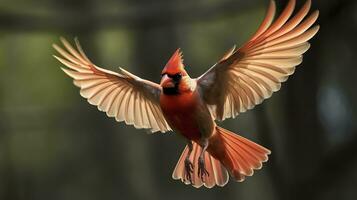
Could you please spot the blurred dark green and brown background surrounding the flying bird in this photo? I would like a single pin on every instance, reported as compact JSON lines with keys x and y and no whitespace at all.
{"x":54,"y":145}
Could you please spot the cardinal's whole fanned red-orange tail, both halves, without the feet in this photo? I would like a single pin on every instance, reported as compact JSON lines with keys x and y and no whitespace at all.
{"x":227,"y":153}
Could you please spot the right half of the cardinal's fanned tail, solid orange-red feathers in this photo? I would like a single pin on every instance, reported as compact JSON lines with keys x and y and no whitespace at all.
{"x":242,"y":155}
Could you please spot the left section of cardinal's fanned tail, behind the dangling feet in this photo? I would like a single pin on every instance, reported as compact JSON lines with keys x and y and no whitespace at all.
{"x":218,"y":175}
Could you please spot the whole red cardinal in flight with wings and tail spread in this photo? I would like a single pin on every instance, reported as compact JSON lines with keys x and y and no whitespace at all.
{"x":192,"y":107}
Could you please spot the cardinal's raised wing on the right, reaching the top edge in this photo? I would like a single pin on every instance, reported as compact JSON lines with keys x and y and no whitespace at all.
{"x":245,"y":77}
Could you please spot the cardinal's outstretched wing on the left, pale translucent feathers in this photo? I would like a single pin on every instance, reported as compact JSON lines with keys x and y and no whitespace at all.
{"x":121,"y":95}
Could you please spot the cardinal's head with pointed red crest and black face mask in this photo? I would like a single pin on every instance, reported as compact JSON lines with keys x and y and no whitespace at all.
{"x":173,"y":73}
